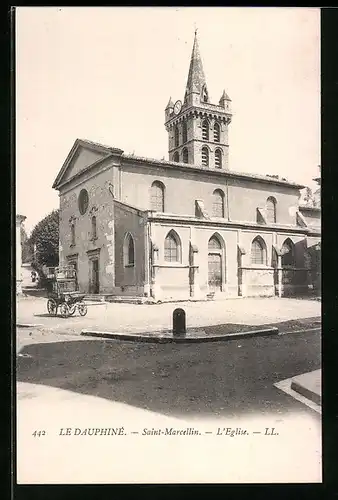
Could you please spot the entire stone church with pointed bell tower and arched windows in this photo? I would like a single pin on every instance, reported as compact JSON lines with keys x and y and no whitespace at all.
{"x":186,"y":228}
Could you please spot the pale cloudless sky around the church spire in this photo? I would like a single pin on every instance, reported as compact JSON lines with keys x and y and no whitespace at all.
{"x":106,"y":74}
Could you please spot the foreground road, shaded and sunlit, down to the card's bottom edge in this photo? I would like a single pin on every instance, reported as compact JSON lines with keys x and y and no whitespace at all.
{"x":82,"y":383}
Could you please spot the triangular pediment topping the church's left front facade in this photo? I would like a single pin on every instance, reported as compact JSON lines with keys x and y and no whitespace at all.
{"x":83,"y":155}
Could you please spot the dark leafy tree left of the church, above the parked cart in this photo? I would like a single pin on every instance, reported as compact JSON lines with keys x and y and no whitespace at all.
{"x":45,"y":239}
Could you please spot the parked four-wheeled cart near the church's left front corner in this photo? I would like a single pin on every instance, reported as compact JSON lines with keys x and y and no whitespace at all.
{"x":63,"y":294}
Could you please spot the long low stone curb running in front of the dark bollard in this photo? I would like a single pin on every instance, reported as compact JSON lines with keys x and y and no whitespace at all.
{"x":180,"y":340}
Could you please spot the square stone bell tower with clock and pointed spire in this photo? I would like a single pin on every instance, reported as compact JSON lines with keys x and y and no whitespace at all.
{"x":197,"y":129}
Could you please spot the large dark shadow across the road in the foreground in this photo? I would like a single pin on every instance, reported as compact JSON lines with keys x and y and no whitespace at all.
{"x":211,"y":379}
